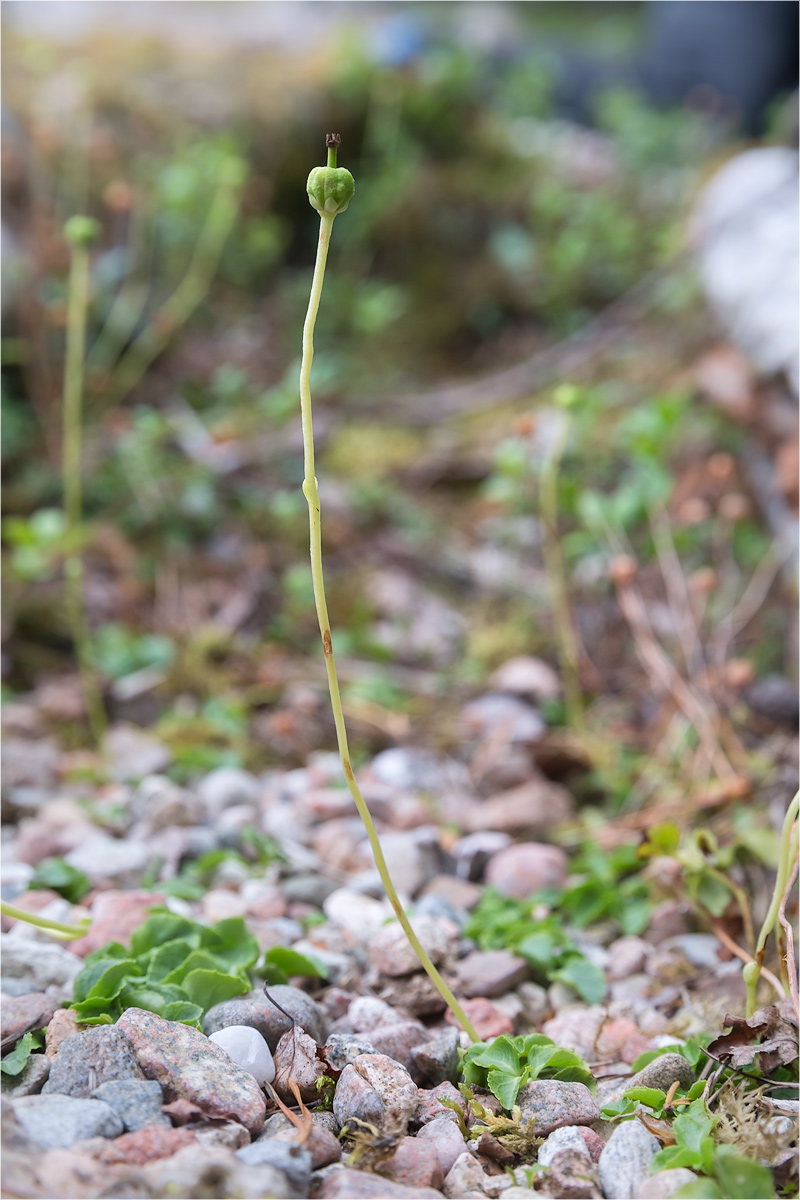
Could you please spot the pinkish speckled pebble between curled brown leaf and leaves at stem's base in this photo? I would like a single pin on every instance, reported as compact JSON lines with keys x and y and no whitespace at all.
{"x":377,"y":1090}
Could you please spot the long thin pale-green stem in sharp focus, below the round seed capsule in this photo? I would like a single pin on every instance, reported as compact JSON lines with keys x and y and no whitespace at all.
{"x":312,"y":496}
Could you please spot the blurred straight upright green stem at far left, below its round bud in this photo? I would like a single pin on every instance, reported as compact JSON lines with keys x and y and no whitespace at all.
{"x":74,"y":573}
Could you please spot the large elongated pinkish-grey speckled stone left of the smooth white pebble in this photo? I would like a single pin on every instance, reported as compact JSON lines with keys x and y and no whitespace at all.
{"x":189,"y":1066}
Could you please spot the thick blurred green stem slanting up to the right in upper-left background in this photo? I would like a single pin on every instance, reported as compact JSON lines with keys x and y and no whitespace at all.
{"x":185,"y":299}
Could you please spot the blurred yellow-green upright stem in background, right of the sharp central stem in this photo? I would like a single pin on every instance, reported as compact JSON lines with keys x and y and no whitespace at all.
{"x":568,"y":643}
